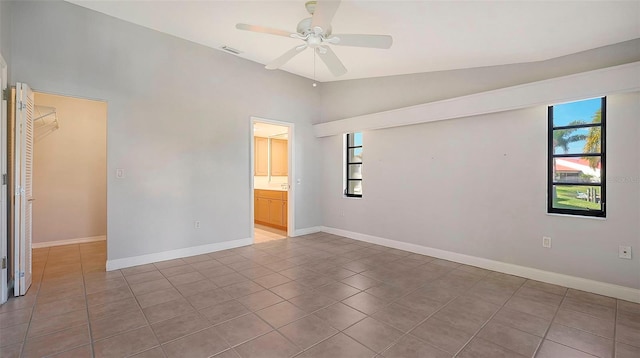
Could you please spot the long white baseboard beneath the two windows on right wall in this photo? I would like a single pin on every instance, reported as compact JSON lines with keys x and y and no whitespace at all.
{"x":601,"y":288}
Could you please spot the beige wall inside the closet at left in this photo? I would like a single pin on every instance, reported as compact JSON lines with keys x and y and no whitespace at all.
{"x":70,"y":183}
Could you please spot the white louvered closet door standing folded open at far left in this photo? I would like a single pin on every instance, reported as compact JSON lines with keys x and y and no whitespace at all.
{"x":23,"y":193}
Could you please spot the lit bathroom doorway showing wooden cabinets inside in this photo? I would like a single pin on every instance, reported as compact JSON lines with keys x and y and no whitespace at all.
{"x":272,"y":167}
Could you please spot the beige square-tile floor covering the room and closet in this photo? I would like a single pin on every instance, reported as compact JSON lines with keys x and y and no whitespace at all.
{"x":318,"y":295}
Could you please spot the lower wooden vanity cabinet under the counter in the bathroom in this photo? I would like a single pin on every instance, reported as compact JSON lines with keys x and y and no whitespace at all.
{"x":271,"y":208}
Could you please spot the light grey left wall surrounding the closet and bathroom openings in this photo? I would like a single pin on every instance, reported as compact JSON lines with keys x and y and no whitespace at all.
{"x":178,"y":121}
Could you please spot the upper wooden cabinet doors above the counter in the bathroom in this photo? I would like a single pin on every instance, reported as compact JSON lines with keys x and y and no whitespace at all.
{"x":278,"y":158}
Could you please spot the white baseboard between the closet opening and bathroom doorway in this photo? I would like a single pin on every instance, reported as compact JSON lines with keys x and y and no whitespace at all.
{"x":175,"y":254}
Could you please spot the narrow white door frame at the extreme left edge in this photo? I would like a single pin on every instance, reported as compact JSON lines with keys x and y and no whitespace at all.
{"x":4,"y":254}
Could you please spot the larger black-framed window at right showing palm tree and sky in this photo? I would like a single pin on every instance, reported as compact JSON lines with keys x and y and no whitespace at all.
{"x":577,"y":158}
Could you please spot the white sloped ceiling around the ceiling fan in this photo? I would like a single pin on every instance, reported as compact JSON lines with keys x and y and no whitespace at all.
{"x":428,"y":35}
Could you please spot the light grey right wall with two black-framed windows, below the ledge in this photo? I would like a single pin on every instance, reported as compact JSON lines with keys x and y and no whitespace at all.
{"x":477,"y":186}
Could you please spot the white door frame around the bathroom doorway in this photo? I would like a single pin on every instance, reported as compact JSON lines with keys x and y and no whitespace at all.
{"x":290,"y":173}
